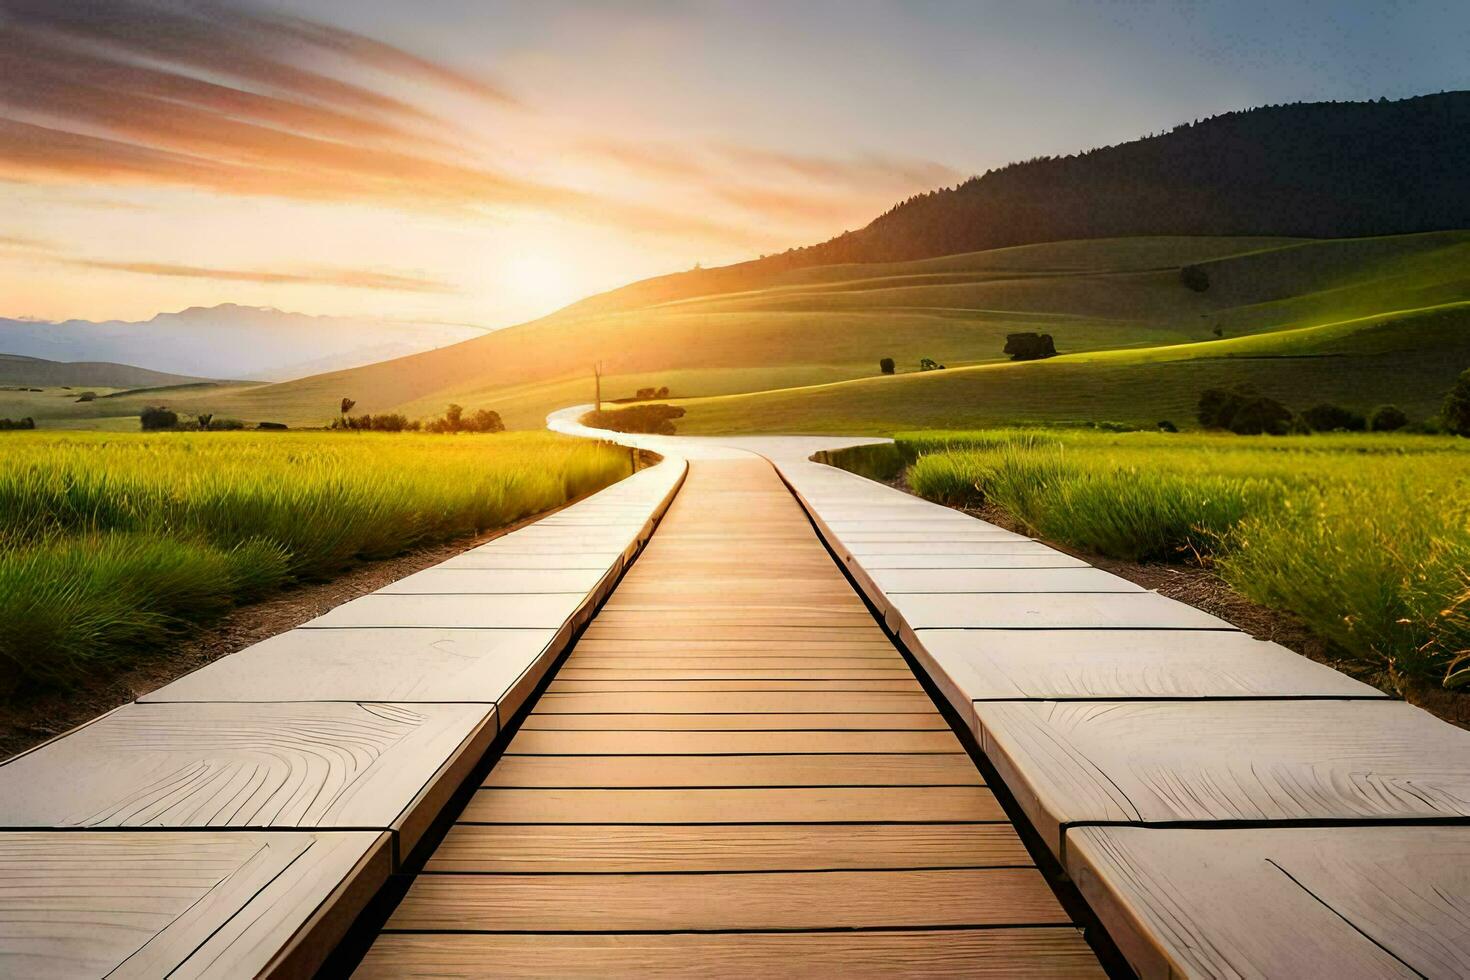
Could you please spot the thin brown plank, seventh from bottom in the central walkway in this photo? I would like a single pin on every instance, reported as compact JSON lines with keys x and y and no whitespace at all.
{"x":761,"y":722}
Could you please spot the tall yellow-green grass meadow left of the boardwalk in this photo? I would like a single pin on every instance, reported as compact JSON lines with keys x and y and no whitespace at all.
{"x":112,"y":543}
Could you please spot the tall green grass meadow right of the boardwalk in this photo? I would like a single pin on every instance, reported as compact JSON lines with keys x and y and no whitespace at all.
{"x":1363,"y":537}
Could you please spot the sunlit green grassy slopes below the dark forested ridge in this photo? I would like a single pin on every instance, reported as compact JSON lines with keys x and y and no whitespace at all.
{"x":1352,"y":321}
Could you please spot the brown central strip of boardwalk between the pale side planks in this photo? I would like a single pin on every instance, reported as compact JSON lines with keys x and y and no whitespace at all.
{"x":733,"y":774}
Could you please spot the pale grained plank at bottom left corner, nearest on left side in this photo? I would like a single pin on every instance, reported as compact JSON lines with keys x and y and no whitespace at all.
{"x":180,"y":904}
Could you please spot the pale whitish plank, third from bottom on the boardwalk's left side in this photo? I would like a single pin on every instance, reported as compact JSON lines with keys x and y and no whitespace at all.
{"x":370,"y":665}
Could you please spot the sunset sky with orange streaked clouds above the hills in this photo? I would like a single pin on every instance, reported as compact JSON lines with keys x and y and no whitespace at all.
{"x":486,"y":162}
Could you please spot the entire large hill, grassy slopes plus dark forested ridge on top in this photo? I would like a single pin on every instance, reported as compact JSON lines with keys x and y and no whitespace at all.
{"x":793,"y":342}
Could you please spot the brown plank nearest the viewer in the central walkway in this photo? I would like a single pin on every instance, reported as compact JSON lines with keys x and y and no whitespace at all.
{"x":980,"y":954}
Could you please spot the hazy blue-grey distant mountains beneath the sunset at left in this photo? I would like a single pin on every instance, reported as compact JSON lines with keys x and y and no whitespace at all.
{"x":230,"y":342}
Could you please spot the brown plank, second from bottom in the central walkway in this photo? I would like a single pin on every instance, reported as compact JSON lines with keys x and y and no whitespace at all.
{"x":633,"y":903}
